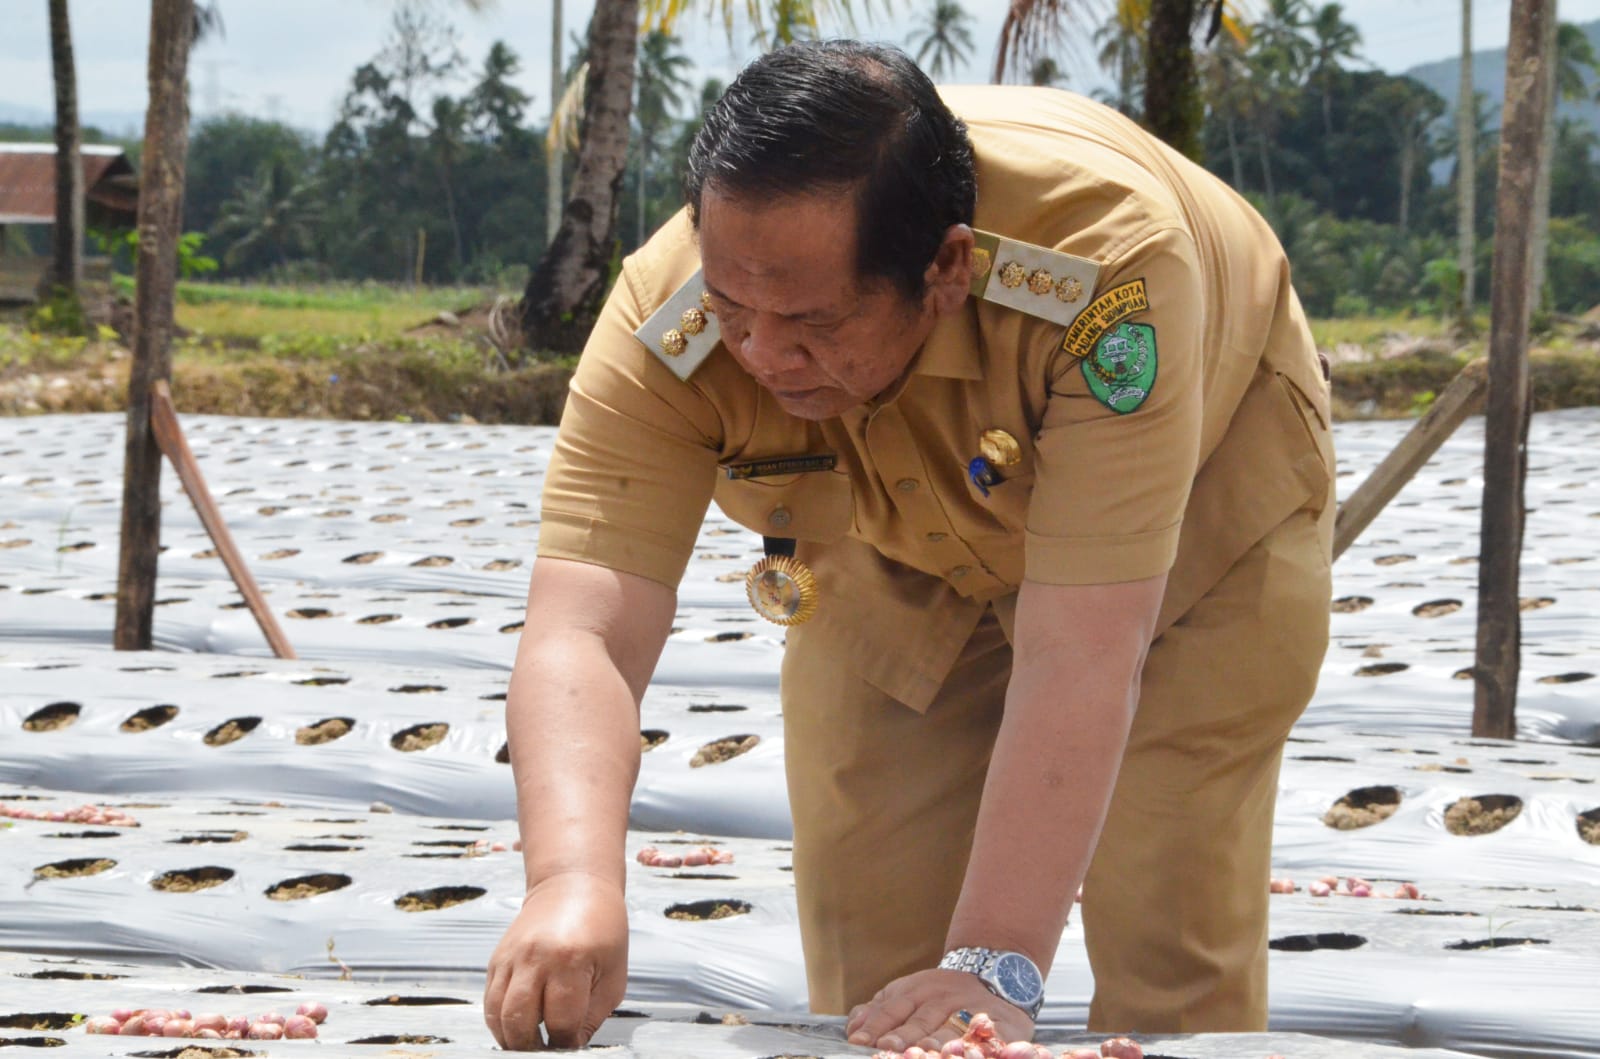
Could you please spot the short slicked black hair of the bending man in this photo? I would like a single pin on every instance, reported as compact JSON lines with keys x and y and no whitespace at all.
{"x":833,"y":114}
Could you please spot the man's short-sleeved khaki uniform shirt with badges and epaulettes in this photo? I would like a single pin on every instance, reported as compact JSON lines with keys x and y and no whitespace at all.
{"x":1231,"y":439}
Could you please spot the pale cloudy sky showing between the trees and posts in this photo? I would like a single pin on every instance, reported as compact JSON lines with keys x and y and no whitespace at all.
{"x":292,"y":60}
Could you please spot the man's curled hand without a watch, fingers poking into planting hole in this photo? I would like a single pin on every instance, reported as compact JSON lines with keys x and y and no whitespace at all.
{"x":564,"y":964}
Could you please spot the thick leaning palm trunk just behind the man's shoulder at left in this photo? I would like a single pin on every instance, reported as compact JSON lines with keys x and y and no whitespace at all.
{"x":567,"y":287}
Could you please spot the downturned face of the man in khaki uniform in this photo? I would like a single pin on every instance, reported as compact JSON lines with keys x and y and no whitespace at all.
{"x":783,"y":282}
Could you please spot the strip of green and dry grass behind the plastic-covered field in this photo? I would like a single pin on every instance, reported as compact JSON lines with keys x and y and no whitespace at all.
{"x":370,"y":351}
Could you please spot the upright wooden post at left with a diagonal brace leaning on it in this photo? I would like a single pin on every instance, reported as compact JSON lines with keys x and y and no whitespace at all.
{"x":161,"y":218}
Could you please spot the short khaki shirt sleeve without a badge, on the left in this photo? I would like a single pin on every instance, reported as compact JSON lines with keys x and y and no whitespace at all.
{"x":636,"y":454}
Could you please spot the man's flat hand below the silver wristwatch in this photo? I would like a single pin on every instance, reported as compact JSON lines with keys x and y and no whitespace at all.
{"x":918,"y":1009}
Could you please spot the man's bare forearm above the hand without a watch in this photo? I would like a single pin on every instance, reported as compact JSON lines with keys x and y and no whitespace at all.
{"x":574,"y":732}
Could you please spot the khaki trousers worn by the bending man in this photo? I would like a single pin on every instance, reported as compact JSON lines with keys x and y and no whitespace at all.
{"x":1175,"y":905}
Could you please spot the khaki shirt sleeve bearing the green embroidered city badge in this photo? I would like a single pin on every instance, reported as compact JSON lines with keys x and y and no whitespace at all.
{"x":1114,"y":470}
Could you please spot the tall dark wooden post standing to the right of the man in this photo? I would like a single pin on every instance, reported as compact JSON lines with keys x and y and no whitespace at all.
{"x":1498,"y":661}
